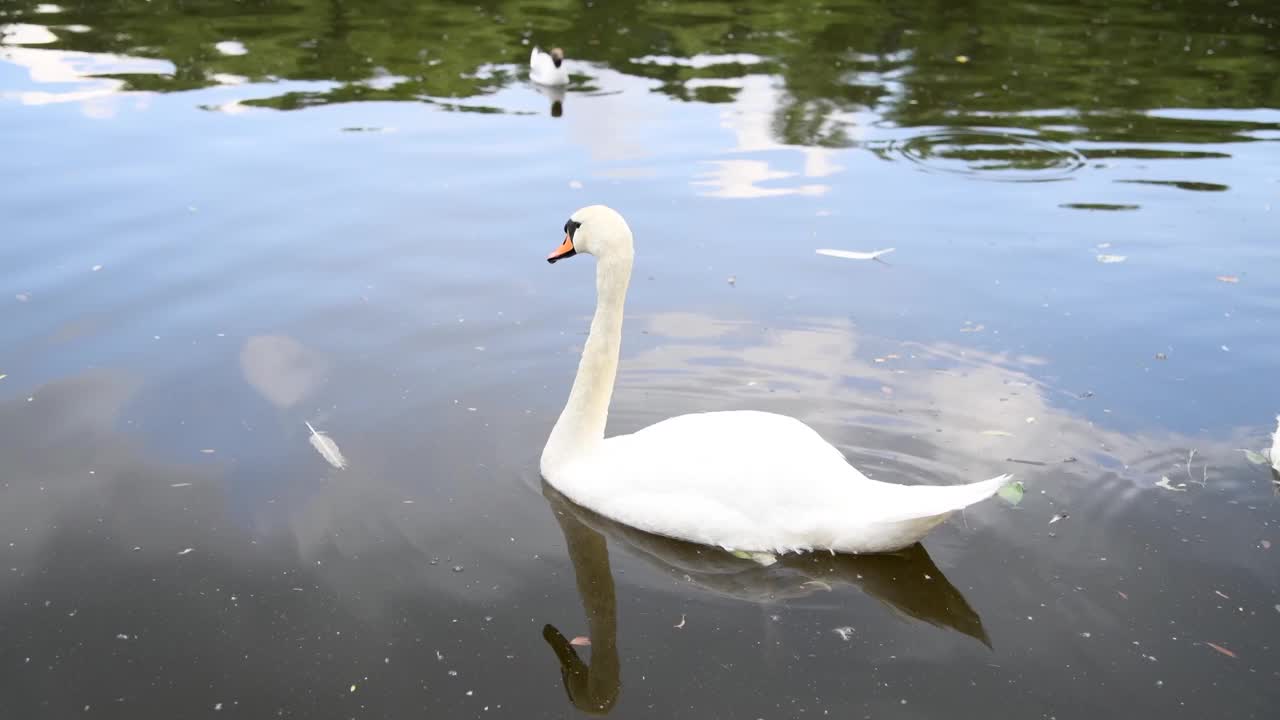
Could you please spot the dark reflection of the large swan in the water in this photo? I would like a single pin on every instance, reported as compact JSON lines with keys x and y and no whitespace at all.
{"x":907,"y":581}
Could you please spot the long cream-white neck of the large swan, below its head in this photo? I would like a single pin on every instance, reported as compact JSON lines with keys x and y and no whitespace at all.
{"x":582,"y":423}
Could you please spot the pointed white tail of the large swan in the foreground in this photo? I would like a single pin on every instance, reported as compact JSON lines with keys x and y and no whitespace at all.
{"x":917,"y":511}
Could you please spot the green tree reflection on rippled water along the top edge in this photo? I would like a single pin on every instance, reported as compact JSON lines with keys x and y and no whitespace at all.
{"x":1095,"y":62}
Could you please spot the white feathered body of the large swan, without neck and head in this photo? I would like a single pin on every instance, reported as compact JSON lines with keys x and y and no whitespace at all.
{"x":755,"y":481}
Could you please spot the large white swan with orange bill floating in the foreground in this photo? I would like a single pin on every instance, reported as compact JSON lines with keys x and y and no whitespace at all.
{"x":742,"y":481}
